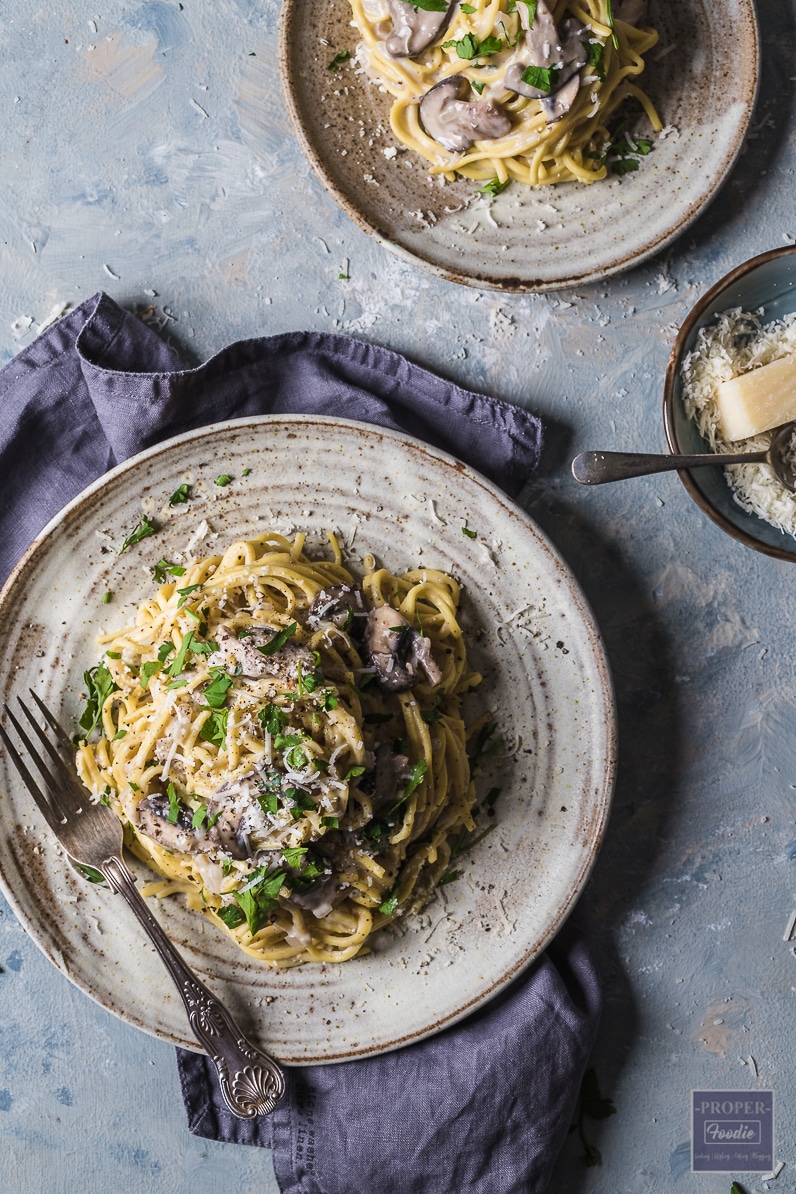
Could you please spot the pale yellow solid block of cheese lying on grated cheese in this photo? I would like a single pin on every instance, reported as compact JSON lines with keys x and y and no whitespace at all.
{"x":758,"y":401}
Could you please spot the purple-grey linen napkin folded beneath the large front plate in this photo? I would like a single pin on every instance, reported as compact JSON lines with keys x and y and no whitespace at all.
{"x":484,"y":1107}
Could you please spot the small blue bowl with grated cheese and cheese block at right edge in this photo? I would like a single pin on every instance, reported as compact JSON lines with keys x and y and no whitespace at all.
{"x":731,"y":381}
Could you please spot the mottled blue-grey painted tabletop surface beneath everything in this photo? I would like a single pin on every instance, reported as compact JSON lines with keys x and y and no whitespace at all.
{"x":147,"y":152}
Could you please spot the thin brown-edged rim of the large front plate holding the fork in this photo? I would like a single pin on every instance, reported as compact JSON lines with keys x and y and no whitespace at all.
{"x":604,"y":687}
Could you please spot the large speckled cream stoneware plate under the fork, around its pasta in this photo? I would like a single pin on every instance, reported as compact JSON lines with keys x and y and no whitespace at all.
{"x":546,"y":680}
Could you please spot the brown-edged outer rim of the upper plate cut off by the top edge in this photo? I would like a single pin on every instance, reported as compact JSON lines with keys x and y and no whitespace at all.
{"x":289,"y":11}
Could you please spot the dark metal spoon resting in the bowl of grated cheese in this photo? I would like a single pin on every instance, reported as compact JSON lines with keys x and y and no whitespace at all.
{"x":597,"y":467}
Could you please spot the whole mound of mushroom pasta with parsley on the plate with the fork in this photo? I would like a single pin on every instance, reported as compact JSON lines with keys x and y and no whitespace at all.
{"x":285,"y":746}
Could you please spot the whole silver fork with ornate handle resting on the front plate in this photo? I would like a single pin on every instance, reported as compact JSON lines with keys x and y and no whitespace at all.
{"x":251,"y":1082}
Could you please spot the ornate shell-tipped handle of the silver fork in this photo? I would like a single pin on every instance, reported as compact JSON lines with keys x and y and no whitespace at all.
{"x":251,"y":1082}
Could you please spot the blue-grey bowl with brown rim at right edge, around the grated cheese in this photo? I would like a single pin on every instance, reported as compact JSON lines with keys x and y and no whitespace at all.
{"x":768,"y":281}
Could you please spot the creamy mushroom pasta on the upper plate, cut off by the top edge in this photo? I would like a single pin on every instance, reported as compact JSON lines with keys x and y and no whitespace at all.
{"x":502,"y":90}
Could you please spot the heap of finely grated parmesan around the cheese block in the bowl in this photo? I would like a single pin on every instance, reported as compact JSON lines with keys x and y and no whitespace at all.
{"x":737,"y":343}
